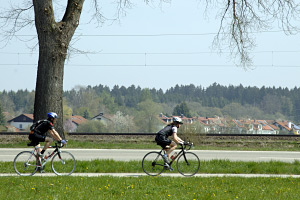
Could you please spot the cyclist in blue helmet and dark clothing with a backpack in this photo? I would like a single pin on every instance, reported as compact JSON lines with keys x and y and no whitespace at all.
{"x":39,"y":133}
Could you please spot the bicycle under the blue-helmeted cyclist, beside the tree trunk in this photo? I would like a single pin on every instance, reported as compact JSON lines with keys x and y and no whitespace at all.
{"x":26,"y":163}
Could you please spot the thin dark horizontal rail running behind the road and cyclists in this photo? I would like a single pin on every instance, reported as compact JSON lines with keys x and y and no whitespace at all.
{"x":143,"y":134}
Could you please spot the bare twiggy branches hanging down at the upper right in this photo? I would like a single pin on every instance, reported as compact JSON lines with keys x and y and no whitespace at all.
{"x":240,"y":18}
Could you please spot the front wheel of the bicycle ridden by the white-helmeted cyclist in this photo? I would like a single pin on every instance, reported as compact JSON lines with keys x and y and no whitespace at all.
{"x":188,"y":164}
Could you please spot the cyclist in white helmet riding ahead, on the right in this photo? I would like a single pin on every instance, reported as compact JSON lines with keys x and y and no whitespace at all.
{"x":163,"y":140}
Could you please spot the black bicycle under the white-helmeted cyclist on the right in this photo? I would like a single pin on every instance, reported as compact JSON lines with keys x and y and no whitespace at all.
{"x":188,"y":163}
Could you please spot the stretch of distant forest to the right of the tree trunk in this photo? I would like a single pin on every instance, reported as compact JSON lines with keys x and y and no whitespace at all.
{"x":264,"y":101}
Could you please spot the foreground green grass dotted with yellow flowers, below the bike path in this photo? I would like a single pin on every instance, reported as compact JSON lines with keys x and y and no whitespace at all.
{"x":156,"y":188}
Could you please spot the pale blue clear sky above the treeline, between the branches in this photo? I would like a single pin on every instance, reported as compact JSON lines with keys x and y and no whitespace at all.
{"x":155,"y":47}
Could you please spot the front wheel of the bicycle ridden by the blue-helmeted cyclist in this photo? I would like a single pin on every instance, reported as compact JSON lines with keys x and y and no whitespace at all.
{"x":63,"y":163}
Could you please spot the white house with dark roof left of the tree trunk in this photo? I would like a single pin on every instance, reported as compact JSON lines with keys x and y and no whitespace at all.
{"x":21,"y":122}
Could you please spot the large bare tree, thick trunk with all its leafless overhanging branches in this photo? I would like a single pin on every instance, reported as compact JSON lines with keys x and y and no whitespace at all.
{"x":238,"y":20}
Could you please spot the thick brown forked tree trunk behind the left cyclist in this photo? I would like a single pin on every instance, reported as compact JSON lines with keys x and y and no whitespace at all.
{"x":54,"y":38}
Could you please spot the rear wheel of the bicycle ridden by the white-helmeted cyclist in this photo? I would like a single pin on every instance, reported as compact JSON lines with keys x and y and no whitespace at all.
{"x":153,"y":163}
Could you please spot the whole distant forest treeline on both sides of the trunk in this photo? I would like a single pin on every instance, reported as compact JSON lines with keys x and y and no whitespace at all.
{"x":233,"y":101}
